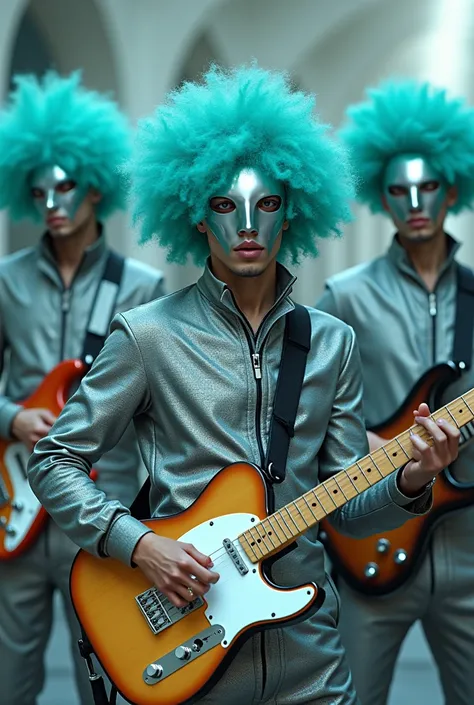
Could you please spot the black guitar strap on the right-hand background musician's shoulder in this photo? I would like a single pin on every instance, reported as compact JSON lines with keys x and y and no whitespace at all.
{"x":464,"y":322}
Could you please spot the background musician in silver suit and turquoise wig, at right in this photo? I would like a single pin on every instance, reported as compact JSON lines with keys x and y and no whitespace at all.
{"x":413,"y":149}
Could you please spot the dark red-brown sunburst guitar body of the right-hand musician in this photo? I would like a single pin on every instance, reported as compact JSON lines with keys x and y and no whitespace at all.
{"x":381,"y":563}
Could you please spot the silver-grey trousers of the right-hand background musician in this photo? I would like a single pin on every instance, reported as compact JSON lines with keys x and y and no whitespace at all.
{"x":441,"y":597}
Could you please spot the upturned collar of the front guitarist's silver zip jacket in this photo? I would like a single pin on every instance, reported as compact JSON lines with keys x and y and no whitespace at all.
{"x":219,"y":294}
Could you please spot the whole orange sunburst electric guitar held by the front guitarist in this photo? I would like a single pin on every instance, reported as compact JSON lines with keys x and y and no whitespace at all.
{"x":156,"y":653}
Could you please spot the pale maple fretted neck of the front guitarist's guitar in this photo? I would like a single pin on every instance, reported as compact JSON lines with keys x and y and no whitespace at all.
{"x":288,"y":523}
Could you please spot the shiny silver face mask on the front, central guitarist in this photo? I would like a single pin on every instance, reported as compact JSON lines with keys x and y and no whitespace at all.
{"x":247,"y":221}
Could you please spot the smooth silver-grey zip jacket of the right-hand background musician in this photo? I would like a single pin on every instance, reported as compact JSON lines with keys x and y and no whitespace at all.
{"x":402,"y":330}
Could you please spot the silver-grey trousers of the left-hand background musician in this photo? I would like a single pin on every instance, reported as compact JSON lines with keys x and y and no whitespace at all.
{"x":27,"y":586}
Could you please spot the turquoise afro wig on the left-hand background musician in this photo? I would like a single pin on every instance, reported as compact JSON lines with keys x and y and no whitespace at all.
{"x":57,"y":121}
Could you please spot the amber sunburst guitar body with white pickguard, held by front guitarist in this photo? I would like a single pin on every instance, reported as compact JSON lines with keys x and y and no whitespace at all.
{"x":120,"y":620}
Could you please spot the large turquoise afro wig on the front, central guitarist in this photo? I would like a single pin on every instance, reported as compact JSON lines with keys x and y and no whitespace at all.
{"x":242,"y":118}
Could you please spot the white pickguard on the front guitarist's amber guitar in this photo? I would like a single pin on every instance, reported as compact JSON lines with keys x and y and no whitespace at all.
{"x":238,"y":601}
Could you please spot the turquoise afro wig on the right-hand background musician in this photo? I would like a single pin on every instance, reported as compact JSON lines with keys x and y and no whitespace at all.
{"x":410,"y":117}
